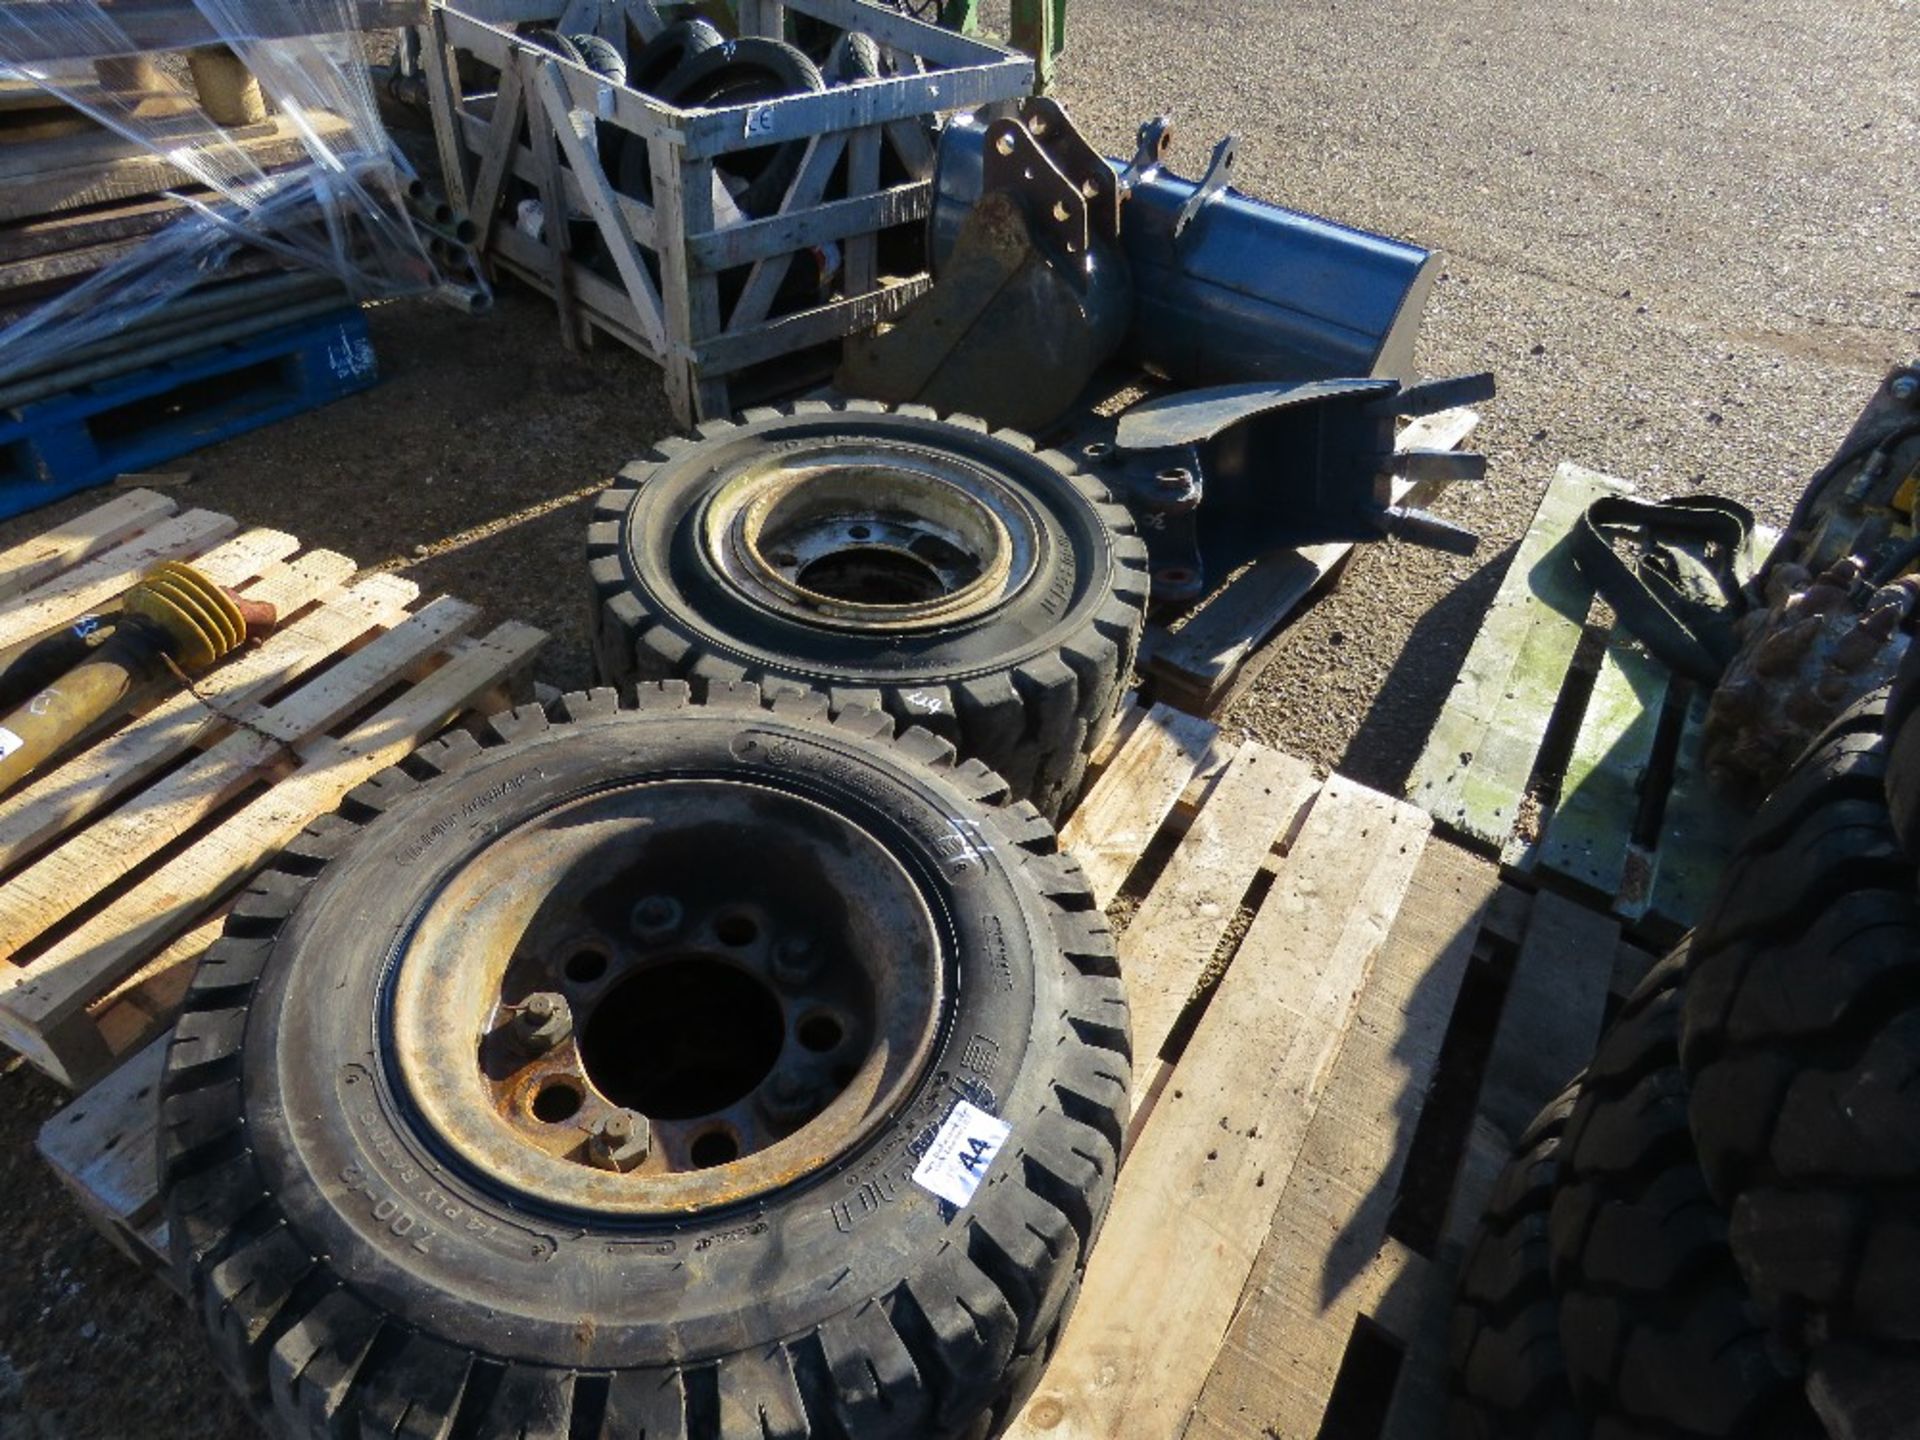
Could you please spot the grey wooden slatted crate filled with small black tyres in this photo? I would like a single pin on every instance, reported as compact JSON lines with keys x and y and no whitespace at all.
{"x":671,"y":254}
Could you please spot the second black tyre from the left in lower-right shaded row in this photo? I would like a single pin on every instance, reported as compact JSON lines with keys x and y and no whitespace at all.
{"x":1654,"y":1320}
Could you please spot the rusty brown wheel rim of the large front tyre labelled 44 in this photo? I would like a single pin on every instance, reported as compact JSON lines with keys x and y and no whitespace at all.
{"x":667,"y":997}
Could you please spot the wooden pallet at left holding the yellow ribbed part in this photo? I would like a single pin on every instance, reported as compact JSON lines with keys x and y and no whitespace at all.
{"x":116,"y":863}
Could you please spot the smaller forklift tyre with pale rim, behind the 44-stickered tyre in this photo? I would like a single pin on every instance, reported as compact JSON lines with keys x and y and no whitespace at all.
{"x":890,"y":560}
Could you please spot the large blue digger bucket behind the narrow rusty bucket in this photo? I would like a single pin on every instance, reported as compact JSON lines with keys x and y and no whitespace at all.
{"x":1247,"y":291}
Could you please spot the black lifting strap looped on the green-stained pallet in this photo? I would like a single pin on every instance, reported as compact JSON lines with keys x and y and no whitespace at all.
{"x":1689,"y":585}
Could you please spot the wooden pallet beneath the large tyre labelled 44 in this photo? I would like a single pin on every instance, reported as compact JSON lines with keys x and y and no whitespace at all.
{"x":1291,"y":1212}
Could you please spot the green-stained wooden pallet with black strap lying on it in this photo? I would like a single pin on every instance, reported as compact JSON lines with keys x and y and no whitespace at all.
{"x":1585,"y":777}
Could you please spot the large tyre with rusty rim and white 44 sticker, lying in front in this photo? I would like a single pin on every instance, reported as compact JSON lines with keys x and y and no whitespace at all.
{"x":690,"y":1070}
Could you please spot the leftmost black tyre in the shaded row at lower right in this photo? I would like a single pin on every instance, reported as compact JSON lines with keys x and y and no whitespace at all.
{"x":1510,"y":1376}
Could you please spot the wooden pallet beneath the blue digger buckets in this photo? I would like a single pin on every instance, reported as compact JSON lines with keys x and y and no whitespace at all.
{"x":1205,"y":661}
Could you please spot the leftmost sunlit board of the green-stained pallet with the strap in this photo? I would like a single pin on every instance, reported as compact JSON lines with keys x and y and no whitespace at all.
{"x":1483,"y":750}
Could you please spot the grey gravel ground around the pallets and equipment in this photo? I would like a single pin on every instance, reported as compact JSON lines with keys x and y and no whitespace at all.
{"x":1683,"y":239}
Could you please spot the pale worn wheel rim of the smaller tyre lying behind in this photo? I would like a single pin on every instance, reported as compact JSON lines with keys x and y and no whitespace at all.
{"x":873,"y":535}
